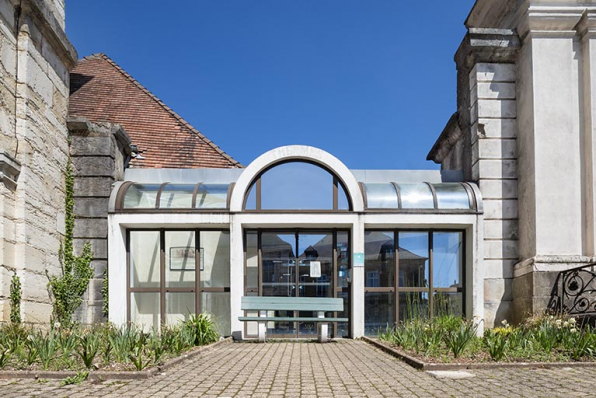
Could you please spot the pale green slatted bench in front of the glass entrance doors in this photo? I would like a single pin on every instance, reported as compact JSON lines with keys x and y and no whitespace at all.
{"x":320,"y":305}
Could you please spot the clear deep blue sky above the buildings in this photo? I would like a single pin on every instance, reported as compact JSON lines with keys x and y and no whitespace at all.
{"x":372,"y":82}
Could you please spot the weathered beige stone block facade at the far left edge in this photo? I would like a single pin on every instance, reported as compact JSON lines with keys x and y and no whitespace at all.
{"x":35,"y":58}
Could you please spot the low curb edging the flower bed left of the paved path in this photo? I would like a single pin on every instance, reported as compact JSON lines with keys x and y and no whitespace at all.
{"x":113,"y":375}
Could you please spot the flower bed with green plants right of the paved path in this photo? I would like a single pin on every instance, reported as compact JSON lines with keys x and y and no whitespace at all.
{"x":451,"y":339}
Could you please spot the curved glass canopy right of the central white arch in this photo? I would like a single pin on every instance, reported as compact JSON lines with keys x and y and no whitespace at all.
{"x":419,"y":196}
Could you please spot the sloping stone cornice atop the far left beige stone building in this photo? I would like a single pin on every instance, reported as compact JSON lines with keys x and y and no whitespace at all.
{"x":51,"y":29}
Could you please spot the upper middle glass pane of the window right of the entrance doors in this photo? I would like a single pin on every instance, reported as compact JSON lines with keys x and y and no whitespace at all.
{"x":413,"y":259}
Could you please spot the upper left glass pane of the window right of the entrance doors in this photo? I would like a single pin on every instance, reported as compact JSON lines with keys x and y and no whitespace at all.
{"x":379,"y":259}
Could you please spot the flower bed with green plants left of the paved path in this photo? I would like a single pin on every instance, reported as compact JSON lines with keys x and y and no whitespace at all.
{"x":103,"y":347}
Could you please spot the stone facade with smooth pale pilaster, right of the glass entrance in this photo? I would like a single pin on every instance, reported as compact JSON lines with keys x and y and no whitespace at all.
{"x":529,"y":139}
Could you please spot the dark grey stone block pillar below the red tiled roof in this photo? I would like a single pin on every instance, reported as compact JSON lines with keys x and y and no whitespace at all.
{"x":99,"y":153}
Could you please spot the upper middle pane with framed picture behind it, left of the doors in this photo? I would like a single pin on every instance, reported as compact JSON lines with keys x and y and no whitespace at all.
{"x":180,"y":258}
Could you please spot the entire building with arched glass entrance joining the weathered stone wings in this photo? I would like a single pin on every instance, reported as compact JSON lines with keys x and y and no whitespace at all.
{"x":192,"y":230}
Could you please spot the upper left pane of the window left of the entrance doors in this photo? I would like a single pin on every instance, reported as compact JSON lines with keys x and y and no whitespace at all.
{"x":144,"y":255}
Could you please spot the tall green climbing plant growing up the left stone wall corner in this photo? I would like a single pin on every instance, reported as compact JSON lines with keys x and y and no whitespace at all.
{"x":76,"y":271}
